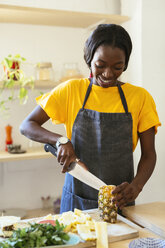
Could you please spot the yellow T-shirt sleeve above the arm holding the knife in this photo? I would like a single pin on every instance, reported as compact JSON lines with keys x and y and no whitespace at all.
{"x":54,"y":103}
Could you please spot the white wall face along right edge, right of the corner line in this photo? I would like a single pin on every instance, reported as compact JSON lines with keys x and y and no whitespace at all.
{"x":153,"y":50}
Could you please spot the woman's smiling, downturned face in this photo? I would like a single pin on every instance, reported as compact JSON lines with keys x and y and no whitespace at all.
{"x":107,"y":65}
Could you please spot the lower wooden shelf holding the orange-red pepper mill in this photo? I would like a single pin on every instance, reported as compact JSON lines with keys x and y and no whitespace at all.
{"x":35,"y":153}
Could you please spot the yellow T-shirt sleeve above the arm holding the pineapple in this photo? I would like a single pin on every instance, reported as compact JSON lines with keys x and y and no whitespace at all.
{"x":148,"y":116}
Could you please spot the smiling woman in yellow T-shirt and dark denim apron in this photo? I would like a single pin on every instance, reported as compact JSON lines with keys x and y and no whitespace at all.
{"x":104,"y":119}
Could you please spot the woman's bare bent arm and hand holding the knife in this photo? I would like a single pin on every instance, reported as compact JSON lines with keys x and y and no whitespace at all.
{"x":32,"y":128}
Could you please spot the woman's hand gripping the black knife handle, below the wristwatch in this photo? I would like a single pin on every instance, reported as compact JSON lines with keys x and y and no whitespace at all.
{"x":66,"y":155}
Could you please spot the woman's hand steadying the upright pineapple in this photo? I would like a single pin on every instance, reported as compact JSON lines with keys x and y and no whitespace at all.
{"x":125,"y":193}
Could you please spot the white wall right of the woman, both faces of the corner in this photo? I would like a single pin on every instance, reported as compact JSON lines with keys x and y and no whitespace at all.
{"x":146,"y":69}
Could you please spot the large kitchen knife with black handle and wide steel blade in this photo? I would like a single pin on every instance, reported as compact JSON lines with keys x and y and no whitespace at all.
{"x":78,"y":171}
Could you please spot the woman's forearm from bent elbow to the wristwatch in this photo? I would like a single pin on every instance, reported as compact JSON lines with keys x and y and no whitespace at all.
{"x":34,"y":131}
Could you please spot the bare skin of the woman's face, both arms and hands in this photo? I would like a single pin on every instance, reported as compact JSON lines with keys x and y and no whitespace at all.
{"x":107,"y":65}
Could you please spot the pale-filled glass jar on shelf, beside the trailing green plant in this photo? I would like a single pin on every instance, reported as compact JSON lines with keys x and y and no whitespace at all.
{"x":44,"y":71}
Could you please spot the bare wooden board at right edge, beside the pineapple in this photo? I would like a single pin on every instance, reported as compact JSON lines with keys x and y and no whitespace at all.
{"x":150,"y":215}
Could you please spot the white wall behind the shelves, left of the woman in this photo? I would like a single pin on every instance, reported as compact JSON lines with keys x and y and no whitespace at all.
{"x":22,"y":183}
